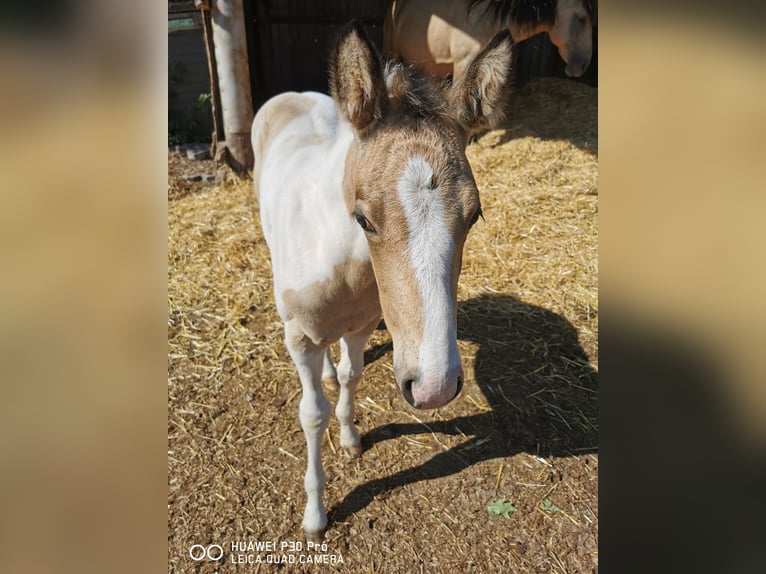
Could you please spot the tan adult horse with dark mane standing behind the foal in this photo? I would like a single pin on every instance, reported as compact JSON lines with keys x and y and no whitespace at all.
{"x":443,"y":36}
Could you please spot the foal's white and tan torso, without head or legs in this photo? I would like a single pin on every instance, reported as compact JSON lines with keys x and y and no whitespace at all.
{"x":323,"y":279}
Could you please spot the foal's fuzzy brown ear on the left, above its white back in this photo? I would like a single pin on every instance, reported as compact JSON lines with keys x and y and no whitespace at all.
{"x":356,"y":78}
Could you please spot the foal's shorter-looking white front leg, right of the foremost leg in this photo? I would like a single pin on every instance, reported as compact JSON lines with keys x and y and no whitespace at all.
{"x":349,"y":374}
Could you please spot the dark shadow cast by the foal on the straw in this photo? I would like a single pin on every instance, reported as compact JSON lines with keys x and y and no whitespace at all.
{"x":537,"y":381}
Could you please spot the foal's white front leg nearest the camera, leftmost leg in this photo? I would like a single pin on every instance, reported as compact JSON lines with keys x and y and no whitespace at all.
{"x":314,"y":413}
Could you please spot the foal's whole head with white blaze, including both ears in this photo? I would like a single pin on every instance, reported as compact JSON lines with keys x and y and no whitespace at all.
{"x":410,"y":187}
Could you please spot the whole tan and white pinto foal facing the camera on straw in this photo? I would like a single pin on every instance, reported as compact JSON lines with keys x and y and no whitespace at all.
{"x":366,"y":199}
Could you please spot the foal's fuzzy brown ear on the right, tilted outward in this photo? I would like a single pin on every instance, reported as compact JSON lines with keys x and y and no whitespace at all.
{"x":478,"y":99}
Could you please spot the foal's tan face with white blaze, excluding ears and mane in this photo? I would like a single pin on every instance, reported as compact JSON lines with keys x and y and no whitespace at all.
{"x":415,"y":197}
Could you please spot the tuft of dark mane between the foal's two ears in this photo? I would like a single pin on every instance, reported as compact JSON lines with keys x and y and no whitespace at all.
{"x":415,"y":94}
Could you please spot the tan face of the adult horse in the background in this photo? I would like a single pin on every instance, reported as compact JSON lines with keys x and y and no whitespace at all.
{"x":572,"y":35}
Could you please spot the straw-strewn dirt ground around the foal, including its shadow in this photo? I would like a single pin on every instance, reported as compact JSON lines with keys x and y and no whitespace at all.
{"x":524,"y":429}
